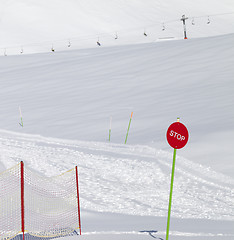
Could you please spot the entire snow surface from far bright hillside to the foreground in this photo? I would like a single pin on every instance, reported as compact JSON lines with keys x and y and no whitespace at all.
{"x":67,"y":99}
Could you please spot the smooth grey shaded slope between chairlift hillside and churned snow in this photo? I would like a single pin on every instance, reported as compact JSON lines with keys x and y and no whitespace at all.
{"x":72,"y":95}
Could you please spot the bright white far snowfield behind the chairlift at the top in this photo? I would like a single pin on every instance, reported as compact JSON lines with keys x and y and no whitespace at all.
{"x":37,"y":25}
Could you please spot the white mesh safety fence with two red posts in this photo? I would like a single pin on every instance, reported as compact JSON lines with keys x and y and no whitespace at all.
{"x":38,"y":206}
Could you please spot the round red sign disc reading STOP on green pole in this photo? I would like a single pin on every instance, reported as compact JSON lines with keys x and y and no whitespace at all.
{"x":177,"y":135}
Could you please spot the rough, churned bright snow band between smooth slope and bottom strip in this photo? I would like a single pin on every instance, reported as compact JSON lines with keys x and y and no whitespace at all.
{"x":128,"y":179}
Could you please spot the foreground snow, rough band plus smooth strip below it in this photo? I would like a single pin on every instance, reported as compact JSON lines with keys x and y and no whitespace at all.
{"x":124,"y":188}
